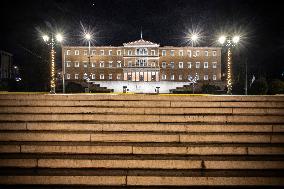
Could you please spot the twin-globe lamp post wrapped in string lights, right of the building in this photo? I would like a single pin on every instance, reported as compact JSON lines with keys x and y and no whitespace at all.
{"x":229,"y":42}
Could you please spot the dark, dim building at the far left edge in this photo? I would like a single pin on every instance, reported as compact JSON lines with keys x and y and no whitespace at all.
{"x":6,"y":65}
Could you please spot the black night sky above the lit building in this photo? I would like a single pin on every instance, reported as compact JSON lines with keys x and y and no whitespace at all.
{"x":260,"y":23}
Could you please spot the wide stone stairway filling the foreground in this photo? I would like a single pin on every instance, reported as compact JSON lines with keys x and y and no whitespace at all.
{"x":141,"y":141}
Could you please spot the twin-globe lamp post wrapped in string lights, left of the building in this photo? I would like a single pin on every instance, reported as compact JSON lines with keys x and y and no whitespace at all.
{"x":52,"y":42}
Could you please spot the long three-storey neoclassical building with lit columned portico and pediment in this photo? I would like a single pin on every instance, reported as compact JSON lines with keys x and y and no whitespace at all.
{"x":141,"y":66}
